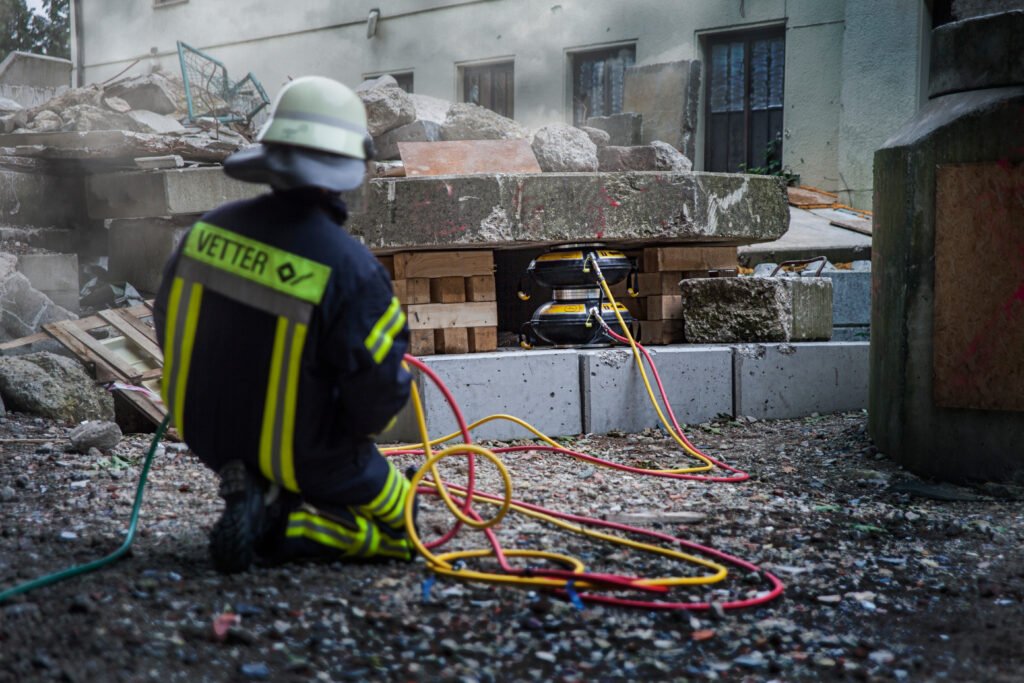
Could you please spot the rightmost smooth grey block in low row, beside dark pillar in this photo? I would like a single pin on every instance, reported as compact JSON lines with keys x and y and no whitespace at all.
{"x":795,"y":380}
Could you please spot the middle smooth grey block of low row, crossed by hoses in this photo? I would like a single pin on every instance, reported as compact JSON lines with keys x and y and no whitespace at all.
{"x":698,"y":381}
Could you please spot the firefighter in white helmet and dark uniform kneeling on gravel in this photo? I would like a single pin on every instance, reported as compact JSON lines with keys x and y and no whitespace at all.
{"x":284,"y":344}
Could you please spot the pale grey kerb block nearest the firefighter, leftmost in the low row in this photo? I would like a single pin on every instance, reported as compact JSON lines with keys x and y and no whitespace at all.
{"x":541,"y":388}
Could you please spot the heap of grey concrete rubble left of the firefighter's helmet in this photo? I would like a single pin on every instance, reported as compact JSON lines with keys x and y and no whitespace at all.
{"x":140,"y":116}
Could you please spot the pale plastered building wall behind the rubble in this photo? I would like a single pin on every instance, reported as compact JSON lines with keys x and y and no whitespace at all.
{"x":433,"y":38}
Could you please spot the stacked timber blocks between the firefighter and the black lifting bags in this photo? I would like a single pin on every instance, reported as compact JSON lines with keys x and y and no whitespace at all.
{"x":449,"y":298}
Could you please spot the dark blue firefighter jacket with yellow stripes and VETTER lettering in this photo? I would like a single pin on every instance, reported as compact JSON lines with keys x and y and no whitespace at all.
{"x":351,"y":381}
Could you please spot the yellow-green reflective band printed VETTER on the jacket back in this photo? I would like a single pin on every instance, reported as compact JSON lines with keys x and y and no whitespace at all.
{"x":258,"y":262}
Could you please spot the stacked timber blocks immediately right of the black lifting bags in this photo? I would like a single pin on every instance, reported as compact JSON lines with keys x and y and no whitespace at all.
{"x":659,"y":307}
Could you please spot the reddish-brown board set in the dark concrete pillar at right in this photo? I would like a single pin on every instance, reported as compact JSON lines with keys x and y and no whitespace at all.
{"x":978,"y":360}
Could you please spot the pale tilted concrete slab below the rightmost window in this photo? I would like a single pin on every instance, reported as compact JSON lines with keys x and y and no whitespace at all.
{"x":809,"y":236}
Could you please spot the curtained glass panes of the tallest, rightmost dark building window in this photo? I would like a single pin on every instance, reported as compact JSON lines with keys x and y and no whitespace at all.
{"x":745,"y":102}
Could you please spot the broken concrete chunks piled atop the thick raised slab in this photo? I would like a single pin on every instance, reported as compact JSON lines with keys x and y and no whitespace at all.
{"x":396,"y":116}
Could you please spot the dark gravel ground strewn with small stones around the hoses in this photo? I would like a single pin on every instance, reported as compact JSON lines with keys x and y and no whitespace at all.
{"x":887,"y":577}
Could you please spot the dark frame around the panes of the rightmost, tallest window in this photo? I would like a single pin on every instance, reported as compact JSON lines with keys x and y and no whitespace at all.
{"x":748,"y":37}
